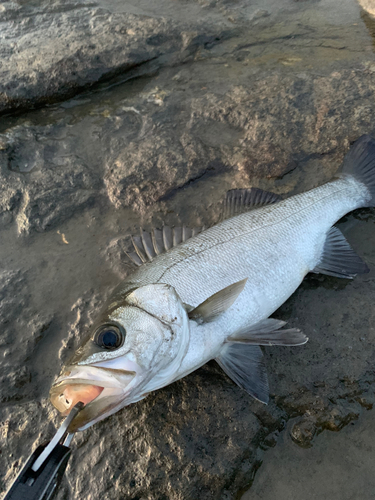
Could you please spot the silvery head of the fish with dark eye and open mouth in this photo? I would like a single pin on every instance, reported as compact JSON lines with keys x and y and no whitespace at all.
{"x":135,"y":346}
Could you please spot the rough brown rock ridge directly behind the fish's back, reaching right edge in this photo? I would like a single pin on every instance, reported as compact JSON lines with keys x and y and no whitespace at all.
{"x":237,"y":132}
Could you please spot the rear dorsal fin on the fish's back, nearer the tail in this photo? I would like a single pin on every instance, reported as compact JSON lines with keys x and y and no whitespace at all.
{"x":238,"y":201}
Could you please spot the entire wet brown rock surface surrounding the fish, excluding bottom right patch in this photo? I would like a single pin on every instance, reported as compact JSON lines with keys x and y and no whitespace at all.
{"x":215,"y":105}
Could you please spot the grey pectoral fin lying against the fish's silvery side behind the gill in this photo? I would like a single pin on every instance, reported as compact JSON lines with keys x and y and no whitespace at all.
{"x":217,"y":303}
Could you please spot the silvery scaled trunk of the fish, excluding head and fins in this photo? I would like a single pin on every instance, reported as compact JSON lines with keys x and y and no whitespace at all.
{"x":274,"y":247}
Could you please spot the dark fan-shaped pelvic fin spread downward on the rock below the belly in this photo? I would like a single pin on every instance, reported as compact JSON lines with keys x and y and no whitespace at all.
{"x":244,"y":364}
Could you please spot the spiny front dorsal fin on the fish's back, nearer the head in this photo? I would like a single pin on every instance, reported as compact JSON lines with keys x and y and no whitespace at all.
{"x":148,"y":245}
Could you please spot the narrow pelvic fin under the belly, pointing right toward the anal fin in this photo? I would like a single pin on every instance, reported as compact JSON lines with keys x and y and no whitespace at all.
{"x":267,"y":332}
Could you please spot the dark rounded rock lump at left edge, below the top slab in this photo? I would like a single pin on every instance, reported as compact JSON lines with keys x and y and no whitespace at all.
{"x":46,"y":179}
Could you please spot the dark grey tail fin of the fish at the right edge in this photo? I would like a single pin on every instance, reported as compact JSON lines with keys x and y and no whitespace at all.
{"x":360,"y":163}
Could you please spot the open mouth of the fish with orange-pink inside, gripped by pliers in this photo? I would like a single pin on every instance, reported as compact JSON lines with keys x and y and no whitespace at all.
{"x":102,"y":391}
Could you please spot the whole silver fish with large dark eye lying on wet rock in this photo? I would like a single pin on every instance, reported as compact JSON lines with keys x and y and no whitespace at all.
{"x":203,"y":294}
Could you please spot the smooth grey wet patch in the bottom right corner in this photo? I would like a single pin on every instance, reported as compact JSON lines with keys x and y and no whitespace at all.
{"x":338,"y":466}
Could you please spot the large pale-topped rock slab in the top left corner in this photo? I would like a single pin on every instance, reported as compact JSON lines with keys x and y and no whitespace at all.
{"x":51,"y":50}
